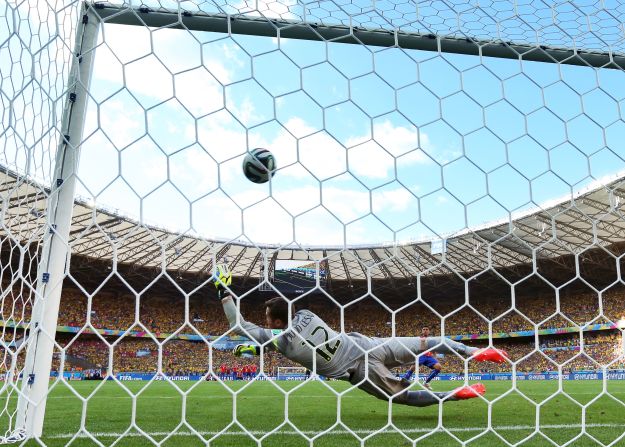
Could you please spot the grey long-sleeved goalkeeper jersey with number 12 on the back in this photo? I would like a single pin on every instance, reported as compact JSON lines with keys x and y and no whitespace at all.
{"x":308,"y":341}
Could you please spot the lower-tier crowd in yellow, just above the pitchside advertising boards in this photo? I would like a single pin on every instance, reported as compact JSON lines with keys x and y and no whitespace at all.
{"x":183,"y":357}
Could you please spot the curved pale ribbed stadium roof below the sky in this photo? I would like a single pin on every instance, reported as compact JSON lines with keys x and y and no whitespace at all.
{"x":592,"y":219}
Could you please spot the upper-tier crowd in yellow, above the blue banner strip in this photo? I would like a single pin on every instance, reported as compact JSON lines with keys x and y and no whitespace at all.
{"x":164,"y":315}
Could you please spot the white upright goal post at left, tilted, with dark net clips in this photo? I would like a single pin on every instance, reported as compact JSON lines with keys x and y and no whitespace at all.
{"x":55,"y":255}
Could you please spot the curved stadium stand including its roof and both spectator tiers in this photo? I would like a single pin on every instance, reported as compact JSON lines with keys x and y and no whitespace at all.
{"x":564,"y":278}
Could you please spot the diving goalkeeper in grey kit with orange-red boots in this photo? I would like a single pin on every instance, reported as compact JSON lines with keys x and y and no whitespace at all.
{"x":309,"y":341}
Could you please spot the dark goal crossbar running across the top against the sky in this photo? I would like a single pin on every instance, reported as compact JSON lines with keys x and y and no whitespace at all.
{"x":294,"y":29}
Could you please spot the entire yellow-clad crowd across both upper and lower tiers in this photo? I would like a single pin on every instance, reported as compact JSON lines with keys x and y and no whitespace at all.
{"x":161,"y":316}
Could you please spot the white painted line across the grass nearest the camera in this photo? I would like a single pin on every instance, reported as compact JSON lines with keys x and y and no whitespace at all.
{"x":334,"y":432}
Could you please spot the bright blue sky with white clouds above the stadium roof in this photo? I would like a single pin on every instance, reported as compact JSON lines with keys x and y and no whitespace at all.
{"x":373,"y":144}
